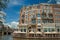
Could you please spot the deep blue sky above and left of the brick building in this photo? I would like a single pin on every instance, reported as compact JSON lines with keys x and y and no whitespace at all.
{"x":14,"y":6}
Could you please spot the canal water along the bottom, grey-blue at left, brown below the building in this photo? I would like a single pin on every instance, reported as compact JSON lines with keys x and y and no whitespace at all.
{"x":10,"y":37}
